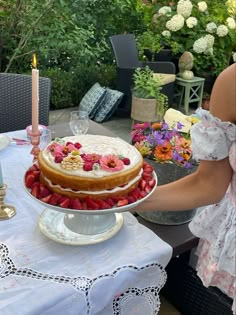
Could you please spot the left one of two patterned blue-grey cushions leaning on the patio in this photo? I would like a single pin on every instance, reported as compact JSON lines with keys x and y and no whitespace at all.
{"x":92,"y":100}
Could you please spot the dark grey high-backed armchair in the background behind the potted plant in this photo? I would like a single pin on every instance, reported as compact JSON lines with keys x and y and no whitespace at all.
{"x":126,"y":55}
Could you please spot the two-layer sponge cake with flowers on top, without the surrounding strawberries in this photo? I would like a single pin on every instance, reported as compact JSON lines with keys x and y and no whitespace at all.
{"x":89,"y":165}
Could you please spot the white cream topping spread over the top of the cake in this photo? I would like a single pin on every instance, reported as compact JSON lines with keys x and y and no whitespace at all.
{"x":102,"y":145}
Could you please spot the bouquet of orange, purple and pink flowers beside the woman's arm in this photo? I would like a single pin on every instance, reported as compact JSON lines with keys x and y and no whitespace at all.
{"x":165,"y":144}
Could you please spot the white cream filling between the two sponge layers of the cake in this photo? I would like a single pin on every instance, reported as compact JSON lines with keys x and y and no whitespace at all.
{"x":108,"y":191}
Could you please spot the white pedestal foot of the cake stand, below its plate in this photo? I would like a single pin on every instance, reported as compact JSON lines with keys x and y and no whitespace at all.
{"x":79,"y":229}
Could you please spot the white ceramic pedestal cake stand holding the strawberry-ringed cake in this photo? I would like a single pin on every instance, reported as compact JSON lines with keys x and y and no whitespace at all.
{"x":83,"y":227}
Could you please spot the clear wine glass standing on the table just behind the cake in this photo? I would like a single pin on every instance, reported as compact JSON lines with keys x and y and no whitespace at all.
{"x":79,"y":122}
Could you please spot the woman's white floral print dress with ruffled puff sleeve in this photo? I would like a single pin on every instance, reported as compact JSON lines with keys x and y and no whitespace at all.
{"x":215,"y":225}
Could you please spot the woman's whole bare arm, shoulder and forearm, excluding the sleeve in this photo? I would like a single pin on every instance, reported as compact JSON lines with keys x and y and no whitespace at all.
{"x":209,"y":183}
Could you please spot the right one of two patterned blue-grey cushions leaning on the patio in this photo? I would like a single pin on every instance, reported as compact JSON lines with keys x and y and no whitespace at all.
{"x":109,"y":104}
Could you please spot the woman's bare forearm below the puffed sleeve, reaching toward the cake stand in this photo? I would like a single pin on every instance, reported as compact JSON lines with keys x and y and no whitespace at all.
{"x":206,"y":186}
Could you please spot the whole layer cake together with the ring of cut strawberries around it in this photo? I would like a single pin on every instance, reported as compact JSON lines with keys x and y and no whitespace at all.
{"x":89,"y":168}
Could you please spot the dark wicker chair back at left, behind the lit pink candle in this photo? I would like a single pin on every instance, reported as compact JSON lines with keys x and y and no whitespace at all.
{"x":16,"y":101}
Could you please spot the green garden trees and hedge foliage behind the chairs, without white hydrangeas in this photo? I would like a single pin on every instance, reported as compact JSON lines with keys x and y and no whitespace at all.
{"x":70,"y":38}
